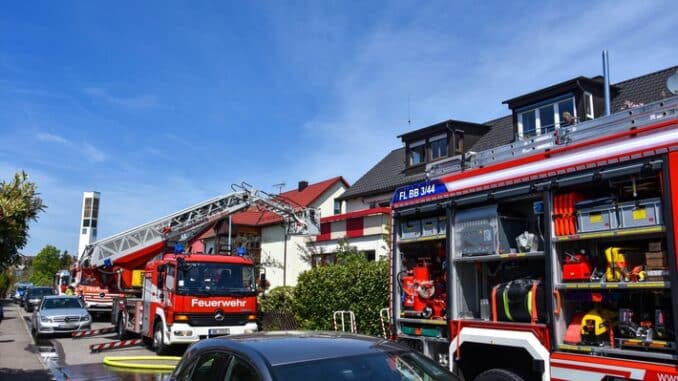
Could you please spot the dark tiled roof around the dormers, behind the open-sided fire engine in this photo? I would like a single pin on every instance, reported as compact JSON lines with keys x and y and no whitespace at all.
{"x":388,"y":174}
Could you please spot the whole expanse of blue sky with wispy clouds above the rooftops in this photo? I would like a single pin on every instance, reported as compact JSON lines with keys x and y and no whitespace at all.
{"x":162,"y":104}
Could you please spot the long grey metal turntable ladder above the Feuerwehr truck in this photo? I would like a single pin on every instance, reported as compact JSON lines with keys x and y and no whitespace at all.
{"x":183,"y":224}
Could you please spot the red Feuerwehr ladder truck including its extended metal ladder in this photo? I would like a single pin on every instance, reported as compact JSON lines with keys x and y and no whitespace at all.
{"x":177,"y":297}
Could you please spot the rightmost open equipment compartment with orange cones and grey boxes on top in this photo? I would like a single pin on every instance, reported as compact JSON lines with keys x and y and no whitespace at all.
{"x":611,"y":275}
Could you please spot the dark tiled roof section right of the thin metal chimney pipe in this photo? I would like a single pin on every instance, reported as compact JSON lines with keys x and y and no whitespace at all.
{"x":644,"y":89}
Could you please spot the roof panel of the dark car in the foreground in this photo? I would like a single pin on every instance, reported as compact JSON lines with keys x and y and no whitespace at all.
{"x":299,"y":346}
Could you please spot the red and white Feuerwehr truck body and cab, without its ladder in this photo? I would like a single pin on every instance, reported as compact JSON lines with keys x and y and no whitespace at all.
{"x":191,"y":297}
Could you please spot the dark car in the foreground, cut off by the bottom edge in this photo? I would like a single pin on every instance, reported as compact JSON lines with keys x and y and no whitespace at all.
{"x":326,"y":356}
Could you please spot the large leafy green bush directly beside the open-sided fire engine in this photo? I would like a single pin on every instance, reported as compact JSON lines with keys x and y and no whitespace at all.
{"x":354,"y":284}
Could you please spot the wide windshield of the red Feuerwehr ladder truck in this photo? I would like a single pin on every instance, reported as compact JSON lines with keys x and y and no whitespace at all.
{"x":216,"y":279}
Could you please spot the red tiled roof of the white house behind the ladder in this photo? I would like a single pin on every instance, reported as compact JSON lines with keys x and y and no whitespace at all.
{"x":257,"y":217}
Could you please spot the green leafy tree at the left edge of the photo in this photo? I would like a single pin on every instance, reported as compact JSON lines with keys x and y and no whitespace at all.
{"x":19,"y":204}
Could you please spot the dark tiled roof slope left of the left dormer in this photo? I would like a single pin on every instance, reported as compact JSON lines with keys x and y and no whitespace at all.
{"x":387,"y":175}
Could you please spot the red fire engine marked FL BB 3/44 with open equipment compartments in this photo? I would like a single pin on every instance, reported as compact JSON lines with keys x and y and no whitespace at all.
{"x":552,"y":258}
